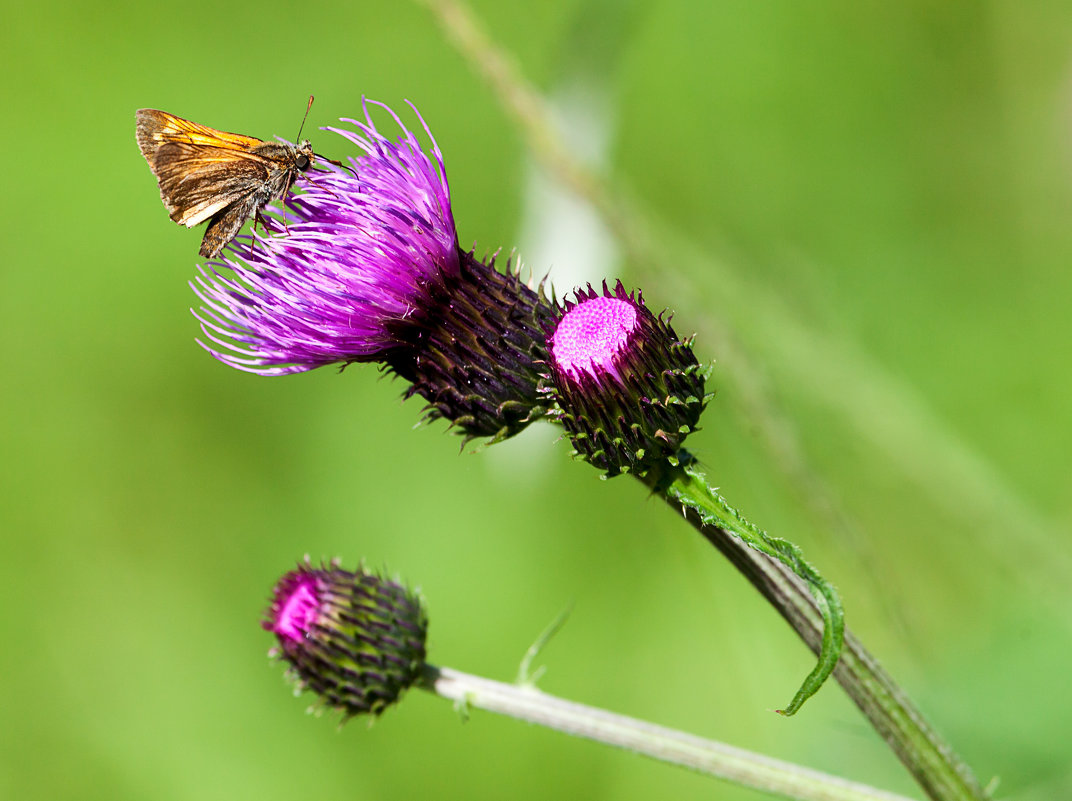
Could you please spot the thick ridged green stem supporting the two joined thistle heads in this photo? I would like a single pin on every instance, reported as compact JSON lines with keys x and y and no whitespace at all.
{"x":940,"y":772}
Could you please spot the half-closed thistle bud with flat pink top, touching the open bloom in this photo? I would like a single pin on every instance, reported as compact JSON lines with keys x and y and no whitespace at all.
{"x":629,"y":391}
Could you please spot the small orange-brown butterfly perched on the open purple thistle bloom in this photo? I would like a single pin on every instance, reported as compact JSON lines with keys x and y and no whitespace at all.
{"x":222,"y":177}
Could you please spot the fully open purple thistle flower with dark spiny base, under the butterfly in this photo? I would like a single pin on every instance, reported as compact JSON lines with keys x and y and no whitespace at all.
{"x":367,"y":268}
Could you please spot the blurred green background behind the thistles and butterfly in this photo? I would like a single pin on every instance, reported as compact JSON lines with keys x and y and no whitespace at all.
{"x":863,"y":212}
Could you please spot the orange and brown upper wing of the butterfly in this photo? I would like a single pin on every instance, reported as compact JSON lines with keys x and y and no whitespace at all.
{"x":201,"y":171}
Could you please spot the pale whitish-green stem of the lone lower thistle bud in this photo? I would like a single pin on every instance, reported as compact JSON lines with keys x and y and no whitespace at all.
{"x":668,"y":746}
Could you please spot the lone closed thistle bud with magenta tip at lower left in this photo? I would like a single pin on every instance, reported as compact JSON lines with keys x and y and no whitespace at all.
{"x":356,"y":640}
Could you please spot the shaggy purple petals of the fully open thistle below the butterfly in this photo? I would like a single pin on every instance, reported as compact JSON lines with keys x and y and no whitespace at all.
{"x":352,"y":263}
